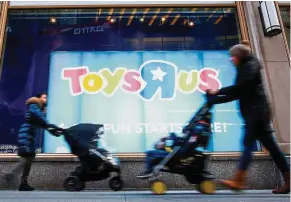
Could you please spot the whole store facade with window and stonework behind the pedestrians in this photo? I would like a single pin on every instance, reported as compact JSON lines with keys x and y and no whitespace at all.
{"x":141,"y":70}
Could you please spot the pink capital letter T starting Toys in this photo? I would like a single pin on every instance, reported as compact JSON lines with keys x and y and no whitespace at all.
{"x":73,"y":75}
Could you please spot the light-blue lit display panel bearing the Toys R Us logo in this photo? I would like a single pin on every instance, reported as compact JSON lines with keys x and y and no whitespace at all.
{"x":139,"y":96}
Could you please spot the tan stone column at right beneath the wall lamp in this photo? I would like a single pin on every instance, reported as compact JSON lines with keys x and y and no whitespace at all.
{"x":273,"y":53}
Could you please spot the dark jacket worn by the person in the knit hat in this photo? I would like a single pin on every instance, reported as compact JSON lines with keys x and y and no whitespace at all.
{"x":248,"y":89}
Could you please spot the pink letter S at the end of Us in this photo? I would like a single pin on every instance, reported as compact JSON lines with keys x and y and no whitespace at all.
{"x":209,"y":79}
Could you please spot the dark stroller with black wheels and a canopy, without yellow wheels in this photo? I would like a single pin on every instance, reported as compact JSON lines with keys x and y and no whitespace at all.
{"x":96,"y":164}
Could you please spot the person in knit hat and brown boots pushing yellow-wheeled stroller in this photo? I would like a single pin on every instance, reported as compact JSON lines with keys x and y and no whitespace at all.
{"x":255,"y":110}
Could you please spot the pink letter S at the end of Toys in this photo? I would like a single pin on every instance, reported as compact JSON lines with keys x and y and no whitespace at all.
{"x":132,"y":83}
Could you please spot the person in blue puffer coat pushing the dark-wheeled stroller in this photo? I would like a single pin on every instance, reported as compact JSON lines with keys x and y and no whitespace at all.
{"x":34,"y":119}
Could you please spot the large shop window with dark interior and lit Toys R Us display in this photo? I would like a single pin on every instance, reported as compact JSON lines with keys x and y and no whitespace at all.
{"x":140,"y":71}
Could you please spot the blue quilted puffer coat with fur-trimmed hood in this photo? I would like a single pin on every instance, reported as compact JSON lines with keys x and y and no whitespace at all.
{"x":34,"y":119}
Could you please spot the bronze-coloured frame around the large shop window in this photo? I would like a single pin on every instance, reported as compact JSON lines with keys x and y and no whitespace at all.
{"x":242,"y":30}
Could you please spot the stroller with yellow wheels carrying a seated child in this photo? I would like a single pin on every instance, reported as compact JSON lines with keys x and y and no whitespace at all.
{"x":184,"y":158}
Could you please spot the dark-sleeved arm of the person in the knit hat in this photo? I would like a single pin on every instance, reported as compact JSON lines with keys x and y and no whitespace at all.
{"x":248,"y":73}
